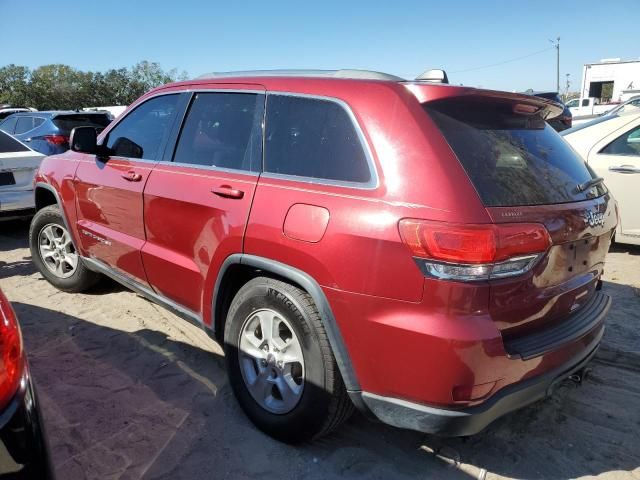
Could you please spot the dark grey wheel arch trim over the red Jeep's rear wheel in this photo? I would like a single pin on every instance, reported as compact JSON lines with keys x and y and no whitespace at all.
{"x":237,"y":269}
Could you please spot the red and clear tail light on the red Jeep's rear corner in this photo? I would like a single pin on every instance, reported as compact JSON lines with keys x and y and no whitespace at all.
{"x":474,"y":252}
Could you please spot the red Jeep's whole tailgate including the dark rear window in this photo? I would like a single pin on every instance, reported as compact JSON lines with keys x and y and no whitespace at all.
{"x":524,"y":172}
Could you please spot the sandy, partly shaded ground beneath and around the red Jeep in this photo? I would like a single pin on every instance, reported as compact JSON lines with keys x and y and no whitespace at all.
{"x":130,"y":391}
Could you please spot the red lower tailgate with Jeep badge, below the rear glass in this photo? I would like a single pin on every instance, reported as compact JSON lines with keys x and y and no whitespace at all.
{"x":565,"y":279}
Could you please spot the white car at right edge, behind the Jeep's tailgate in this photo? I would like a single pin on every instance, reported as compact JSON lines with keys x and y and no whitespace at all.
{"x":611,"y":146}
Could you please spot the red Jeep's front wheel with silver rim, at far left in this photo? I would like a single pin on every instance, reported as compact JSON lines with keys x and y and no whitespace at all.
{"x":55,"y":255}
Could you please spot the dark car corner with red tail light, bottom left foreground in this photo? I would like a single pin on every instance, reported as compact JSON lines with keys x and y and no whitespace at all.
{"x":23,"y":447}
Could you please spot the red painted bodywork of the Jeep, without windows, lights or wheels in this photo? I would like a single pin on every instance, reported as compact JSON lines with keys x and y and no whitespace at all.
{"x":408,"y":336}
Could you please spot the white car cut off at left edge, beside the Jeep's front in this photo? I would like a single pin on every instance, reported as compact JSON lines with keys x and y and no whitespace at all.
{"x":18,"y":165}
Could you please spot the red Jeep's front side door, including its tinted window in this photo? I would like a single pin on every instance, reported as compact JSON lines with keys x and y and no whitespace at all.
{"x":109,"y":191}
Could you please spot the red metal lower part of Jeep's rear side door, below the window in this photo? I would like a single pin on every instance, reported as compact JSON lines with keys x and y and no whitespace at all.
{"x":191,"y":231}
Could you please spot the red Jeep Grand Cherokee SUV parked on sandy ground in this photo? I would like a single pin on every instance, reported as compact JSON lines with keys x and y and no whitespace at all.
{"x":430,"y":254}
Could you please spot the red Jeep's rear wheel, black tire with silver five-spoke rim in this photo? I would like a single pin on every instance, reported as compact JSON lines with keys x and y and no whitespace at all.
{"x":313,"y":400}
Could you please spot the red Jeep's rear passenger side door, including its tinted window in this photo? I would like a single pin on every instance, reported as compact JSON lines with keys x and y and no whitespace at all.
{"x":196,"y":206}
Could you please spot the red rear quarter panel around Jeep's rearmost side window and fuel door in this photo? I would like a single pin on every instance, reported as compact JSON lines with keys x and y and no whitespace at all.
{"x":361,"y":250}
